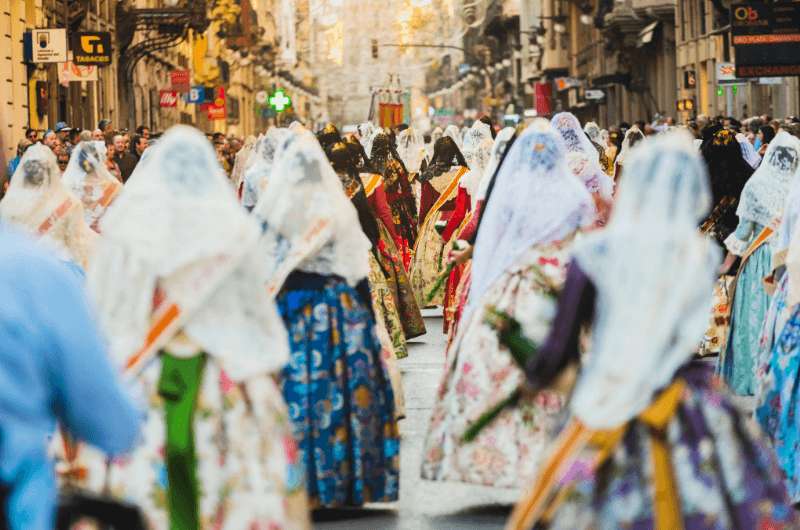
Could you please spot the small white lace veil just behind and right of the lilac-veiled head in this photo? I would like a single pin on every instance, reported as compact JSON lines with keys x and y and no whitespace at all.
{"x":582,"y":156}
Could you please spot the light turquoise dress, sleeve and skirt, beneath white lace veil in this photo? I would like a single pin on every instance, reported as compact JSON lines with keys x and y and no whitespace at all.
{"x":737,"y":365}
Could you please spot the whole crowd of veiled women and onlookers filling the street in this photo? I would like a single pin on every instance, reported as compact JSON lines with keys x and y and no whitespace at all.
{"x":209,"y":329}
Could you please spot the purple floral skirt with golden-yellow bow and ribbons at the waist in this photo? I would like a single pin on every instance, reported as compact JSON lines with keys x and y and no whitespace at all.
{"x":706,"y":468}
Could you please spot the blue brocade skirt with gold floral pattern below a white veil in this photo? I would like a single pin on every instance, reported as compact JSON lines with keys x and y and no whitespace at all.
{"x":339,"y":396}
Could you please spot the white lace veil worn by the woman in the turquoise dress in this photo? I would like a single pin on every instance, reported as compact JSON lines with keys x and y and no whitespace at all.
{"x":764,"y":194}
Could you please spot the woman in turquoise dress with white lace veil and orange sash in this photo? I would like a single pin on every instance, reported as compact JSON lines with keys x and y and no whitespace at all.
{"x":760,"y":209}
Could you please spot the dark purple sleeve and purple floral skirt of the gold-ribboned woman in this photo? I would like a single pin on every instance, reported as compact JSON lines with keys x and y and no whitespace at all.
{"x":723,"y":473}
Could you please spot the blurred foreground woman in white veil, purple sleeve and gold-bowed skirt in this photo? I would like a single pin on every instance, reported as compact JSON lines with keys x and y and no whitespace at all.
{"x":653,"y":441}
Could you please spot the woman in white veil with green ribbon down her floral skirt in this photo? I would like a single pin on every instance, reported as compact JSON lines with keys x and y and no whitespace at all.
{"x":178,"y":278}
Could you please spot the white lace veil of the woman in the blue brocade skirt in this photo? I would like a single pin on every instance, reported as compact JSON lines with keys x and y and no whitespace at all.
{"x":310,"y":224}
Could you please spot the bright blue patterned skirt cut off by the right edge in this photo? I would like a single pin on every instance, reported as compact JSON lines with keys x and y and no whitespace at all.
{"x":778,"y":410}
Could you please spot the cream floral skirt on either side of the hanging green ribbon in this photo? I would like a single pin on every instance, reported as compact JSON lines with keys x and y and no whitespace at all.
{"x":248,"y":469}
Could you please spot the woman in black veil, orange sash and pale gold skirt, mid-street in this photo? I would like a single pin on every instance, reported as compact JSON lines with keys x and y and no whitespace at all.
{"x":440,"y":182}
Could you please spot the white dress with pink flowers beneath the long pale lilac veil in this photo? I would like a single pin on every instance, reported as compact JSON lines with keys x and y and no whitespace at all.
{"x":480,"y":373}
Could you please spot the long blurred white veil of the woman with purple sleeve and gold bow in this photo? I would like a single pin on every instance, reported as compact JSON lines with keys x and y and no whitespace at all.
{"x":654,"y":274}
